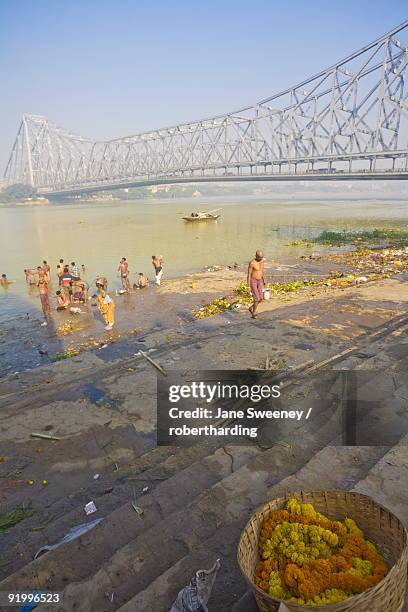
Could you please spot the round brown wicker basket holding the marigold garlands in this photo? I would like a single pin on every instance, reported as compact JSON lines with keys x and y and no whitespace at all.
{"x":379,"y":525}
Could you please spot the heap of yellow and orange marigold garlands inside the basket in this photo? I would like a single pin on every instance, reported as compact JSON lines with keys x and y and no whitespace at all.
{"x":307,"y":558}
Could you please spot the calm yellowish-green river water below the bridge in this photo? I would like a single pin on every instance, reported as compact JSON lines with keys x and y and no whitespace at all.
{"x":98,"y":234}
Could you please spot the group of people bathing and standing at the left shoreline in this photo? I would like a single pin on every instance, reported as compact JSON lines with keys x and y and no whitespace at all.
{"x":75,"y":290}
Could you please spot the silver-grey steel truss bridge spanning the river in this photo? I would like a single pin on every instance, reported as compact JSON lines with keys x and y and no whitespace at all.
{"x":349,"y":121}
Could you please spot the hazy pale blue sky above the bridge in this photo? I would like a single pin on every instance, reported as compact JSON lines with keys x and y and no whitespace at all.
{"x":105,"y":69}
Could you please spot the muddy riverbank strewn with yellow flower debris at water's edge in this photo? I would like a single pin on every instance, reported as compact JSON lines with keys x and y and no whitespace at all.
{"x":25,"y":343}
